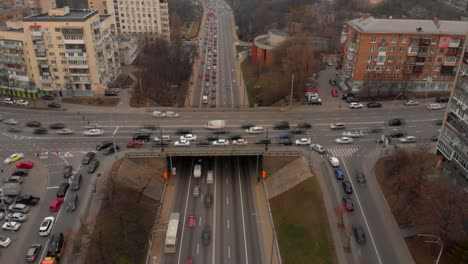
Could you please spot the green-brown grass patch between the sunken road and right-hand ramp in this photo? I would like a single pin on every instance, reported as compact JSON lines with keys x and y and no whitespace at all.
{"x":301,"y":225}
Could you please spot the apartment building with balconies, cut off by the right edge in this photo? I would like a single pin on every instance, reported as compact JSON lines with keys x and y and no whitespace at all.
{"x":453,"y":139}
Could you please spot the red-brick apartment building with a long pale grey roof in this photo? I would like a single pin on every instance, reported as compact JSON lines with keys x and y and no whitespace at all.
{"x":390,"y":56}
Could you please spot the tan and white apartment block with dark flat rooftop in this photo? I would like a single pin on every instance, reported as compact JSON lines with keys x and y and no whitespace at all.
{"x":71,"y":50}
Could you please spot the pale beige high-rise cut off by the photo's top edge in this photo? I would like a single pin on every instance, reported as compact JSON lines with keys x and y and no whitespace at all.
{"x":148,"y":18}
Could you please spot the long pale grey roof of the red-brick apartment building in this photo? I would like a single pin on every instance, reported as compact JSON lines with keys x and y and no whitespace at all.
{"x":409,"y":26}
